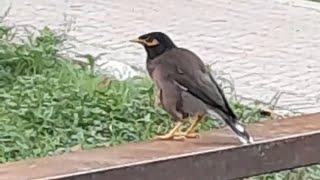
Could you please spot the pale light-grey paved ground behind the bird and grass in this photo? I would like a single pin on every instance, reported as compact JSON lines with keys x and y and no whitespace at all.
{"x":267,"y":47}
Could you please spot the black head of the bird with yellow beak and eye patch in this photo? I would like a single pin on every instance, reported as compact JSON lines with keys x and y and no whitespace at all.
{"x":155,"y":43}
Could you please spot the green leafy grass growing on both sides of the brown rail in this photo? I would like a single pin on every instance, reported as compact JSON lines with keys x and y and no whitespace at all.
{"x":50,"y":107}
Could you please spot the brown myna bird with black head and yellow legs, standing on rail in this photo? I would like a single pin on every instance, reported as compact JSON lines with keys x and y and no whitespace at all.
{"x":186,"y":89}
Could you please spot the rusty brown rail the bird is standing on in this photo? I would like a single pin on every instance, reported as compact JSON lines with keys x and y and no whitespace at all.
{"x":280,"y":144}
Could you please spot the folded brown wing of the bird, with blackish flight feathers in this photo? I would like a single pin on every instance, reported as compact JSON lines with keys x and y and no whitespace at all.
{"x":188,"y":71}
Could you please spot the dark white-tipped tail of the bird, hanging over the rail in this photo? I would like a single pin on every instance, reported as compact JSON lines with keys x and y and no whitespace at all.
{"x":234,"y":124}
